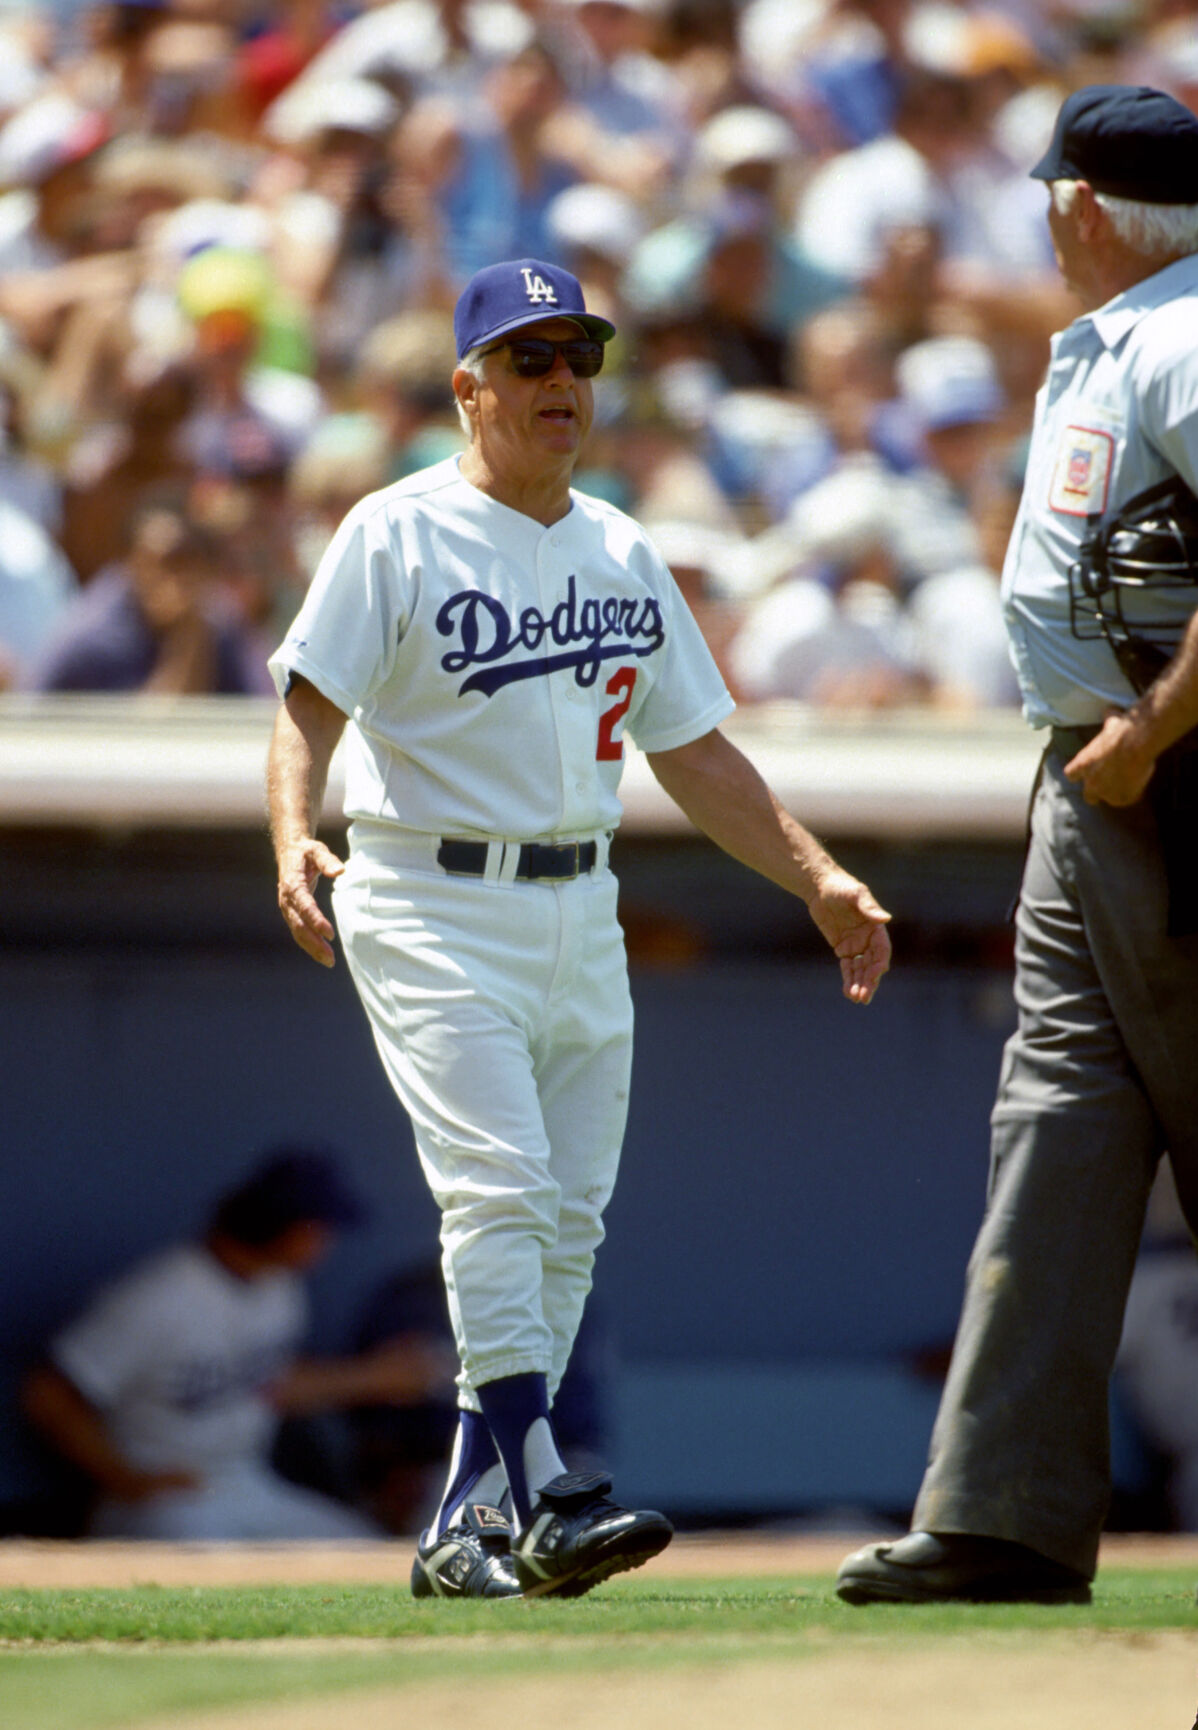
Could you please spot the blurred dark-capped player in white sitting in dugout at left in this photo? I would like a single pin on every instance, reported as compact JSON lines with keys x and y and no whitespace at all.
{"x":169,"y":1390}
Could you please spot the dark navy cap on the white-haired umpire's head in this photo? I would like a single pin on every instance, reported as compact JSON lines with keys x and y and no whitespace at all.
{"x":1130,"y":141}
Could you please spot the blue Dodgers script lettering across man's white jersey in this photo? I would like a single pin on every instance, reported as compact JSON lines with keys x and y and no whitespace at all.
{"x":579,"y":636}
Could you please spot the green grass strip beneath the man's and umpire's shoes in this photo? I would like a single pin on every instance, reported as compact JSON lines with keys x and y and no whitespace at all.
{"x":112,"y":1660}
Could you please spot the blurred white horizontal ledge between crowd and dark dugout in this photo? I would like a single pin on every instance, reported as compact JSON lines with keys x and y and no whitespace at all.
{"x":200,"y":762}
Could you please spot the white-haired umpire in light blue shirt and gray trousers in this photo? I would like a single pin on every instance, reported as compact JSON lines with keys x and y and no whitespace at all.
{"x":1102,"y":1073}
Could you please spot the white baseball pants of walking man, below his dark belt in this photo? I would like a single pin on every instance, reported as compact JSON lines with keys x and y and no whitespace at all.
{"x":503,"y":1016}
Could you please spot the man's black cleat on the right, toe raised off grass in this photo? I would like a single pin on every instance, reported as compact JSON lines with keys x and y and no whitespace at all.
{"x":577,"y":1537}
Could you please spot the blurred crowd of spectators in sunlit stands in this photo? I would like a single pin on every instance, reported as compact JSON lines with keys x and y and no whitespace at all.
{"x":233,"y":234}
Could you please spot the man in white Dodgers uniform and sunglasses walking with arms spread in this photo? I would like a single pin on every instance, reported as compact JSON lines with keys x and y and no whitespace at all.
{"x":489,"y":639}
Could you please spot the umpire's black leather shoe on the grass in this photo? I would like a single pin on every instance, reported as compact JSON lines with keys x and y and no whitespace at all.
{"x":931,"y":1568}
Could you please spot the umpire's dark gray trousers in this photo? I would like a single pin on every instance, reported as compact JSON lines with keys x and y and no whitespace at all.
{"x":1098,"y":1080}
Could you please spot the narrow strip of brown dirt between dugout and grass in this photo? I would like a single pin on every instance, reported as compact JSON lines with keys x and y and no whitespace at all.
{"x":692,"y":1554}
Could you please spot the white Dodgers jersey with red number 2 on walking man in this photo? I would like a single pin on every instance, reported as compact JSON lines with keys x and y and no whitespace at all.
{"x":491,"y":667}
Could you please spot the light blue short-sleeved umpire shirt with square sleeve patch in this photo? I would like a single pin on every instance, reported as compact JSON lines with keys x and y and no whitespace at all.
{"x":1116,"y":414}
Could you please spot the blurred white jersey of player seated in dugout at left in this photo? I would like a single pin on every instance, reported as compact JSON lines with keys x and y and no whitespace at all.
{"x":179,"y":1354}
